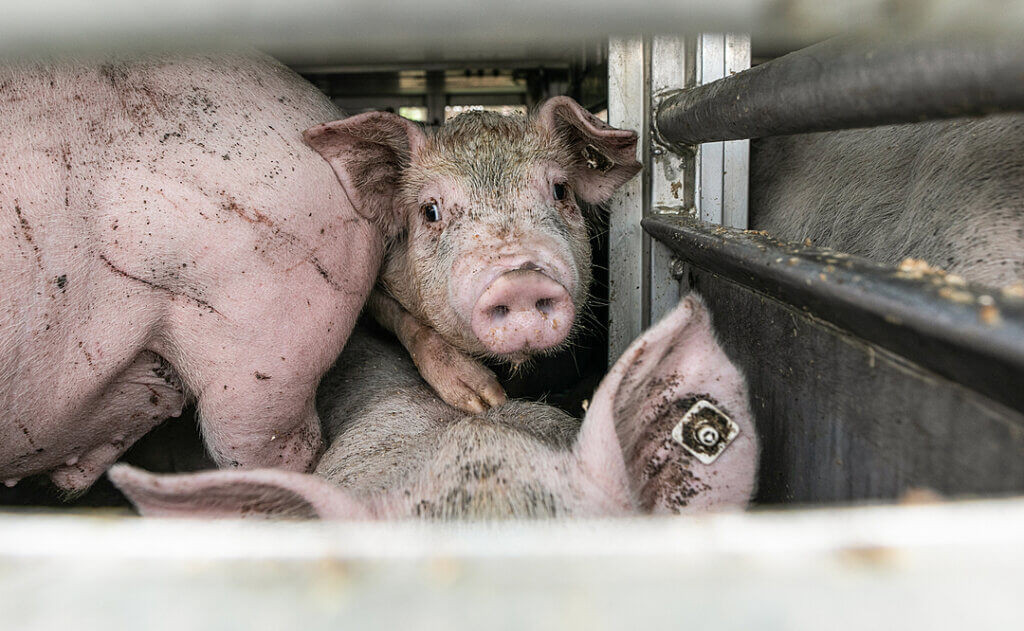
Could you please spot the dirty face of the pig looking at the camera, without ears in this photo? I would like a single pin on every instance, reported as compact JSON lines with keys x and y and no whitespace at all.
{"x":497,"y":258}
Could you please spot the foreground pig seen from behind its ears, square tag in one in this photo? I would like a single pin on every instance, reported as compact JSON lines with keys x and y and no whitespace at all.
{"x":399,"y":452}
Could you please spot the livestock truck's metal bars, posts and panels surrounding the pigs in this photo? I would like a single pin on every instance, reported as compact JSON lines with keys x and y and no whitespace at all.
{"x":889,"y":399}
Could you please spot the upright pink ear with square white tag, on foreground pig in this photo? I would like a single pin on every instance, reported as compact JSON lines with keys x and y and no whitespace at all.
{"x":676,"y":374}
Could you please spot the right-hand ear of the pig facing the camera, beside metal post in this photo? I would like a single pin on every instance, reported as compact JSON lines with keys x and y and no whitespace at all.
{"x":606,"y":157}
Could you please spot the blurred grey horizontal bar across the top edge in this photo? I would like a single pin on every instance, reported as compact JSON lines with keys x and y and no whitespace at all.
{"x":371,"y":32}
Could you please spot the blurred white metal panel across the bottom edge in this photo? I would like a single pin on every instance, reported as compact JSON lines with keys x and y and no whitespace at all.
{"x":941,"y":567}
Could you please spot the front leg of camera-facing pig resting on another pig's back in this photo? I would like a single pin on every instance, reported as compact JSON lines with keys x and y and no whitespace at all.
{"x":461,"y":382}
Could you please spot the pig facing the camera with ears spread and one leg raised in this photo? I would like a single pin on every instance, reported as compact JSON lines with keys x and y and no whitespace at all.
{"x":492,"y":257}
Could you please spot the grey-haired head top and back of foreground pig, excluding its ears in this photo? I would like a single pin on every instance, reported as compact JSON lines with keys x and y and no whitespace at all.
{"x":392,"y":437}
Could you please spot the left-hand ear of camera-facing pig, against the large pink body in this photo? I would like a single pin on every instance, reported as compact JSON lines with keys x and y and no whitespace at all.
{"x":368,"y":154}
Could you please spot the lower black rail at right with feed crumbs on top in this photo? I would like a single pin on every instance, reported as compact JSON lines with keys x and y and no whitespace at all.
{"x":971,"y":334}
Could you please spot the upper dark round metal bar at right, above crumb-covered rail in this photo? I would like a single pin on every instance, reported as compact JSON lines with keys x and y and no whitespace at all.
{"x":846,"y":83}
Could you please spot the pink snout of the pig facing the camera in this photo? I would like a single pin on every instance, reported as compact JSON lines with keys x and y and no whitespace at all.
{"x":523,"y":311}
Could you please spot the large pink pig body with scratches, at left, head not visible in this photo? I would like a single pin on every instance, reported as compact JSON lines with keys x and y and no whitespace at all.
{"x":165,"y":233}
